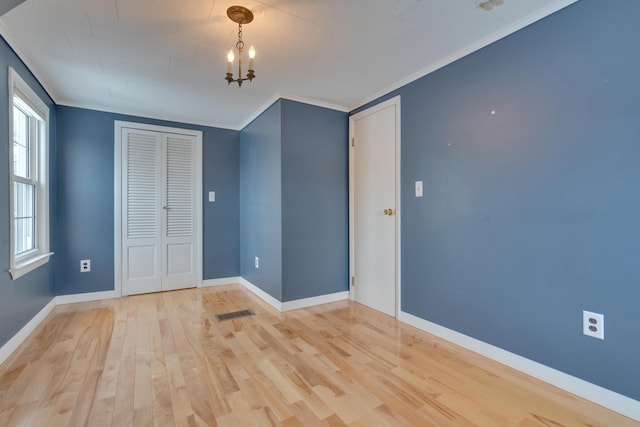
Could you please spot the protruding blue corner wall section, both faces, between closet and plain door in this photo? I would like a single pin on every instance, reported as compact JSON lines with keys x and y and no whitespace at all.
{"x":294,"y":201}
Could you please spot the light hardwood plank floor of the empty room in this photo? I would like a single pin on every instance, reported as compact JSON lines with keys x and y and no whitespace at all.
{"x":161,"y":359}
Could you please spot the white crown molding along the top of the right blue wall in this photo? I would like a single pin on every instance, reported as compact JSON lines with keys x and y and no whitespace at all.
{"x":473,"y":47}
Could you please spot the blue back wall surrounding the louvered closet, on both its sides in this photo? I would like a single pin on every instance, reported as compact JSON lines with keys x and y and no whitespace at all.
{"x":85,"y":179}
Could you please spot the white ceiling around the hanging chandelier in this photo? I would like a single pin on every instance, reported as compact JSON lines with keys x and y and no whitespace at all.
{"x":167,"y":58}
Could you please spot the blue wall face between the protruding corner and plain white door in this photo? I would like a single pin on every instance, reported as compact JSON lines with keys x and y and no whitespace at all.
{"x":315,"y":201}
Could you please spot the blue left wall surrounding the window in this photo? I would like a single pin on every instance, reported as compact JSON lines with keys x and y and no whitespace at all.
{"x":23,"y":298}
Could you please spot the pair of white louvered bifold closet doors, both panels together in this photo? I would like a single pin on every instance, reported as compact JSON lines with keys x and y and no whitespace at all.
{"x":159,"y":212}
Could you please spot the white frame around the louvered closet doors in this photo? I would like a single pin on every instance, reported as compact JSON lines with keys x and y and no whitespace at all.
{"x":117,"y":194}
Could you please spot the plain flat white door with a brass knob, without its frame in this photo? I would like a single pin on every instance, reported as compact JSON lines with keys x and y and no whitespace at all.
{"x":374,"y":206}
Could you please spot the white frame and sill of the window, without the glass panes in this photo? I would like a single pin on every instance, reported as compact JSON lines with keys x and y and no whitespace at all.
{"x":23,"y":263}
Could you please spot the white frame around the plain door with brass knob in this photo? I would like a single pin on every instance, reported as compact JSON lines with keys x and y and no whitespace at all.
{"x":395,"y":102}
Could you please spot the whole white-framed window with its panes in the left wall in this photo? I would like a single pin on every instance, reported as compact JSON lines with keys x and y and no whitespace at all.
{"x":28,"y":190}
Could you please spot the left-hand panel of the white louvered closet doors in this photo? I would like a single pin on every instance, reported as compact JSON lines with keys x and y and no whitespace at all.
{"x":142,"y":200}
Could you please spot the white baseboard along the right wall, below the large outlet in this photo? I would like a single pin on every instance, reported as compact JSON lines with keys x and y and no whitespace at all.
{"x":600,"y":395}
